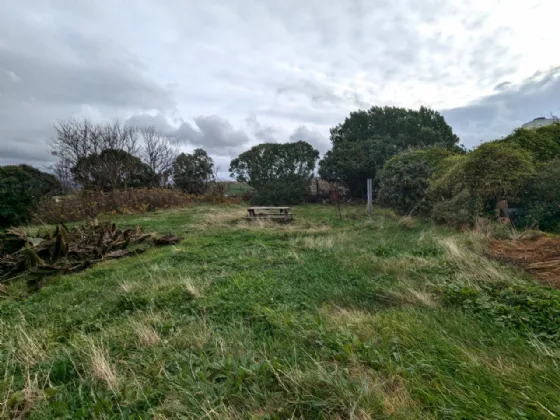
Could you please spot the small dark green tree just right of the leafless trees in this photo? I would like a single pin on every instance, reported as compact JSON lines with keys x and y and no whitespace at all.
{"x":192,"y":172}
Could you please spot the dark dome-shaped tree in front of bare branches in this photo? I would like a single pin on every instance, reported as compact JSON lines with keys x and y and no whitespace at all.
{"x":112,"y":169}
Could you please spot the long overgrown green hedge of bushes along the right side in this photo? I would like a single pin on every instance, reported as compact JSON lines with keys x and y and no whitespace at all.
{"x":521,"y":169}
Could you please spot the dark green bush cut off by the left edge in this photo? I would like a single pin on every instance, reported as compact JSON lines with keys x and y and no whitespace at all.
{"x":21,"y":188}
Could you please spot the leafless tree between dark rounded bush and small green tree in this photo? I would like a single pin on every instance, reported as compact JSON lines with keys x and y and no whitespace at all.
{"x":158,"y":152}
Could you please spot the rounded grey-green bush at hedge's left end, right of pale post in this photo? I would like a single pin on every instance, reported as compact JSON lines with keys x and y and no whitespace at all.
{"x":404,"y":180}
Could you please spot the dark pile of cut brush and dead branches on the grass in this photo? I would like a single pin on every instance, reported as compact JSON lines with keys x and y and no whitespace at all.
{"x":65,"y":251}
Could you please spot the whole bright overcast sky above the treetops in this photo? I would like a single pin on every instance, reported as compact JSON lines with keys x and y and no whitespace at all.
{"x":227,"y":74}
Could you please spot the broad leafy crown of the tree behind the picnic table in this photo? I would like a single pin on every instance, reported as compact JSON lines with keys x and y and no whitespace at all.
{"x":275,"y":162}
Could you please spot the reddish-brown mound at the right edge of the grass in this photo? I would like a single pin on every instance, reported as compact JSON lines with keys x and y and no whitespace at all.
{"x":539,"y":256}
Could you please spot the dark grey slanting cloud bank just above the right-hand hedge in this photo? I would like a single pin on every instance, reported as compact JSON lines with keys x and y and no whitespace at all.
{"x":498,"y":114}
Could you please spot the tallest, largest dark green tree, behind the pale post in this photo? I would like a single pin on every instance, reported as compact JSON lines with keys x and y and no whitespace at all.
{"x":367,"y":139}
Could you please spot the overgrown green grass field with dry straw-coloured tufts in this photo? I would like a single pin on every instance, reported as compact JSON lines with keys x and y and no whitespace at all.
{"x":321,"y":318}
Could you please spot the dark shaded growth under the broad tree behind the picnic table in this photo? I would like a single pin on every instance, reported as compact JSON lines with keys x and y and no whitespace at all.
{"x":280,"y":193}
